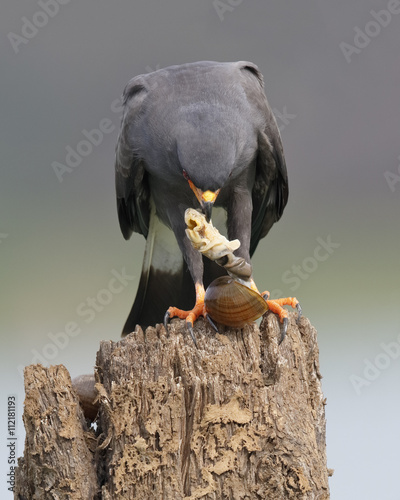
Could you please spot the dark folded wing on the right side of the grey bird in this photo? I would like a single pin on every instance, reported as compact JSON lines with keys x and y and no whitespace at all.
{"x":271,"y":190}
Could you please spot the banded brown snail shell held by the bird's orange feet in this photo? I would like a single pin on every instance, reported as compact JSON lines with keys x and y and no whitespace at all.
{"x":231,"y":303}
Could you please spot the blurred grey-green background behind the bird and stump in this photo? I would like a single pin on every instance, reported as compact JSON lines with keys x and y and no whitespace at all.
{"x":332,"y":76}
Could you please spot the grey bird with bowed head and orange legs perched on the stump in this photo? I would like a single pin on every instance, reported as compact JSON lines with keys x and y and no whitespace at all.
{"x":196,"y":135}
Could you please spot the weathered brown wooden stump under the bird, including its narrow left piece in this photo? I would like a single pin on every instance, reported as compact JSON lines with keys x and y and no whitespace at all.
{"x":239,"y":418}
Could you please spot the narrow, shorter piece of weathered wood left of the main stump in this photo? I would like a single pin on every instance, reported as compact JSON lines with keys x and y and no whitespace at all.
{"x":57,"y":461}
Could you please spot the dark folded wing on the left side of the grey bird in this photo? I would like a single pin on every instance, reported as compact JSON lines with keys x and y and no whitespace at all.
{"x":130,"y":177}
